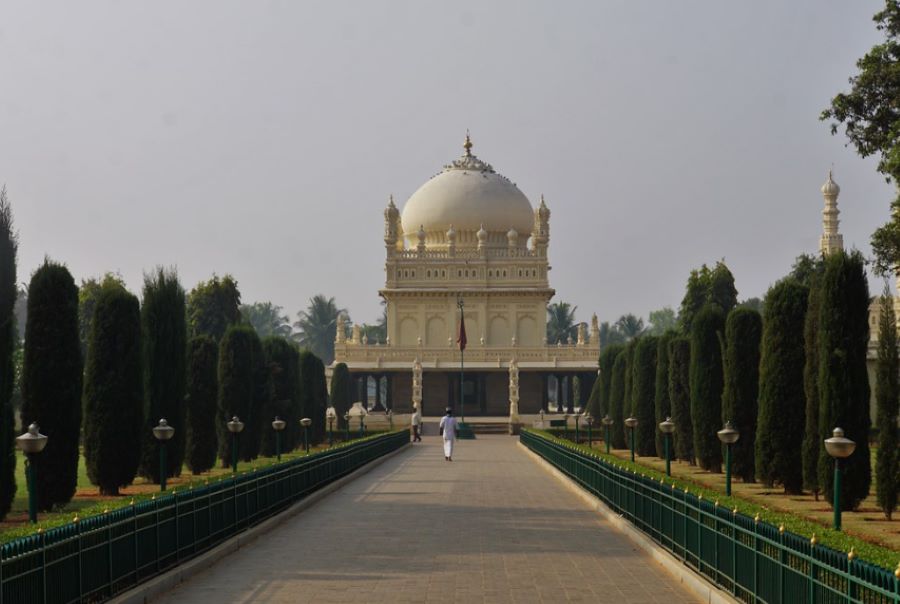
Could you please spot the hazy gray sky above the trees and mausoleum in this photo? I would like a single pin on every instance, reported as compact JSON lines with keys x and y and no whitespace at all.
{"x":262,"y":139}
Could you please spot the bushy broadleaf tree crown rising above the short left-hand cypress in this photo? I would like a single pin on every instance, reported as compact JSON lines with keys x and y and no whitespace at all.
{"x":213,"y":306}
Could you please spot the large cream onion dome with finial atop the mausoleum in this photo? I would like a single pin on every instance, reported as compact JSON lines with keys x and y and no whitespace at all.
{"x":468,"y":194}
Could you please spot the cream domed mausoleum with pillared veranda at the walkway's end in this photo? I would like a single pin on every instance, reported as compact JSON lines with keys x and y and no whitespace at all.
{"x":470,"y":236}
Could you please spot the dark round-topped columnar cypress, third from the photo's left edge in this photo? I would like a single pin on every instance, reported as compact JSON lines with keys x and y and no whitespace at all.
{"x":113,"y":391}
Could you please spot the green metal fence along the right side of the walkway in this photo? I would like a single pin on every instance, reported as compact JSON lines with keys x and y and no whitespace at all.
{"x":752,"y":560}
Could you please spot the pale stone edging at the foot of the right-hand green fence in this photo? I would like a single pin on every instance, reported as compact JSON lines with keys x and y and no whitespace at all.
{"x":693,"y":582}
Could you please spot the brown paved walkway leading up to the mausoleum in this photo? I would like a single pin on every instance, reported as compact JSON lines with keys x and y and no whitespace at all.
{"x":492,"y":526}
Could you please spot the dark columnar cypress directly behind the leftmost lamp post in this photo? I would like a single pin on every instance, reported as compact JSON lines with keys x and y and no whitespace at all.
{"x":51,"y":380}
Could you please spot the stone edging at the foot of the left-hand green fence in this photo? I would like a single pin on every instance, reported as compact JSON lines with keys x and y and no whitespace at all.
{"x":155,"y":587}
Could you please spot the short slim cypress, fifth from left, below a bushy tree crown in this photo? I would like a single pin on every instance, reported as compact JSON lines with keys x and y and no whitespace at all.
{"x":202,"y":393}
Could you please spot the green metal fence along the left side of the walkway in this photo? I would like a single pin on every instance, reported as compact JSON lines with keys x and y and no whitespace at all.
{"x":101,"y":556}
